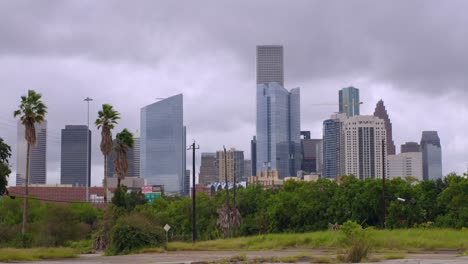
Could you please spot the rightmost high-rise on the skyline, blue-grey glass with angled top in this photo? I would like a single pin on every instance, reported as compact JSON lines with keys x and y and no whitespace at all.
{"x":432,"y":155}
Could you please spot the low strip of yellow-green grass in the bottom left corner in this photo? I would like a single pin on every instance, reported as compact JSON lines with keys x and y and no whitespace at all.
{"x":34,"y":254}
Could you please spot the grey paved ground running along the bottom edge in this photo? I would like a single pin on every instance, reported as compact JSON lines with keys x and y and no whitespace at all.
{"x":198,"y":256}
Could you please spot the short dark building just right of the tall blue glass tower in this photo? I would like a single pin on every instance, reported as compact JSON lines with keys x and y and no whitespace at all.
{"x":310,"y":150}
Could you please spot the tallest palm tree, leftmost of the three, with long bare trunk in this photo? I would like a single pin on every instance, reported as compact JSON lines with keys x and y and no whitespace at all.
{"x":31,"y":111}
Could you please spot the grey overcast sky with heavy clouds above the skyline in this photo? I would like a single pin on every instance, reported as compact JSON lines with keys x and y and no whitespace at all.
{"x":411,"y":54}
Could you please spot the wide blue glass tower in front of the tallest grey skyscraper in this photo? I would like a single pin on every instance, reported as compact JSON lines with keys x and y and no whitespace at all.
{"x":278,"y":129}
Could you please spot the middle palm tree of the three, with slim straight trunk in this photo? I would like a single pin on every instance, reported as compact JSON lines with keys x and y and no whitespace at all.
{"x":107,"y":118}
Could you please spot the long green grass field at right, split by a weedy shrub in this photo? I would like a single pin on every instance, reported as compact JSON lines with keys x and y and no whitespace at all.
{"x":427,"y":239}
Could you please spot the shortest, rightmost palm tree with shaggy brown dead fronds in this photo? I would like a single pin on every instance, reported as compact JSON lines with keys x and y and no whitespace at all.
{"x":124,"y":143}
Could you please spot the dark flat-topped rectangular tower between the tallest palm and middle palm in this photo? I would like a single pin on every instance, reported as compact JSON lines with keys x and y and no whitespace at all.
{"x":75,"y":161}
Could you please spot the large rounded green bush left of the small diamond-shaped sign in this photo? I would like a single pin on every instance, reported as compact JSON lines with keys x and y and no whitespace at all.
{"x":134,"y":232}
